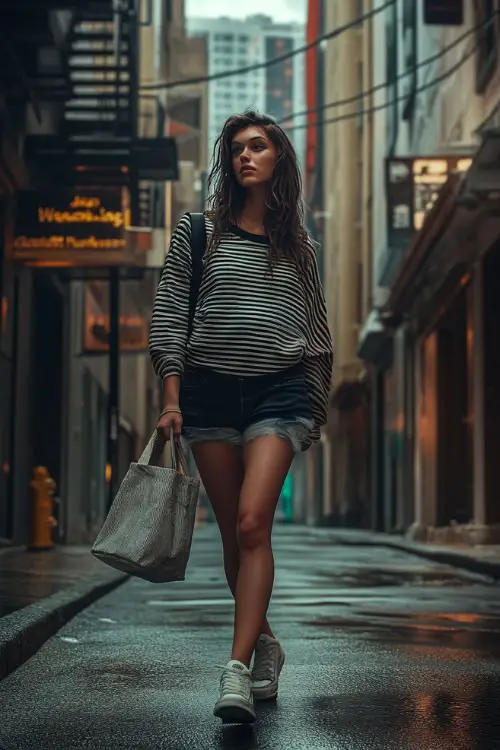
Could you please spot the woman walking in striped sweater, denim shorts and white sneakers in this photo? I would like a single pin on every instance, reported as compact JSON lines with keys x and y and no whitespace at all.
{"x":248,"y":388}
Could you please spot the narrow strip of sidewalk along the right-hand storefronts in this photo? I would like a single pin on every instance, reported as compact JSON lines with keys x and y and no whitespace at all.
{"x":484,"y":560}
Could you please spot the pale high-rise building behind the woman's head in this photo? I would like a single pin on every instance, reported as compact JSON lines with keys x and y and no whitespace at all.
{"x":277,"y":90}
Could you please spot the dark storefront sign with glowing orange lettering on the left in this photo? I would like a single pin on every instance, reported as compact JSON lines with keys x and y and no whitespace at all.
{"x":61,"y":225}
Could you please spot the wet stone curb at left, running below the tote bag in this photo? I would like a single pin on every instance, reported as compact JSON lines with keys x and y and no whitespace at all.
{"x":24,"y":632}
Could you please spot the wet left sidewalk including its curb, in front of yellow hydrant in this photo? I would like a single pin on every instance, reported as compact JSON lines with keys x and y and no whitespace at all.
{"x":40,"y":592}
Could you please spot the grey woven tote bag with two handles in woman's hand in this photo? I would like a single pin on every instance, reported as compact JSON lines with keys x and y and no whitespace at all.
{"x":149,"y":527}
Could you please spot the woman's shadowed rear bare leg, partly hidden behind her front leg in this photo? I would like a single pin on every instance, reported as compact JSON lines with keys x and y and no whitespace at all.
{"x":221,"y":469}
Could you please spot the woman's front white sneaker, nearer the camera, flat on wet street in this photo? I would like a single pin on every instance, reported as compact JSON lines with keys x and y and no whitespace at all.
{"x":236,"y":704}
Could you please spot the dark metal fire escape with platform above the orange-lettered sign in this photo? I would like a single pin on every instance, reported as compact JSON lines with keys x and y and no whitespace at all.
{"x":98,"y":91}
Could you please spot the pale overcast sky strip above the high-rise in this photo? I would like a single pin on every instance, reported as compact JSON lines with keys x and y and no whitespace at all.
{"x":281,"y":10}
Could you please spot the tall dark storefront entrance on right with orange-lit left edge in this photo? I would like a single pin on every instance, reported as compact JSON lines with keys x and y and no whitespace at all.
{"x":444,"y":480}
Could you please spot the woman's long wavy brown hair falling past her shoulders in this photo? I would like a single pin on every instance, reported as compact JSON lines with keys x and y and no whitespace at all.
{"x":284,"y":216}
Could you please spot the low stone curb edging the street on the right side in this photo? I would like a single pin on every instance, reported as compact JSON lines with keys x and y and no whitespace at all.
{"x":439,"y":555}
